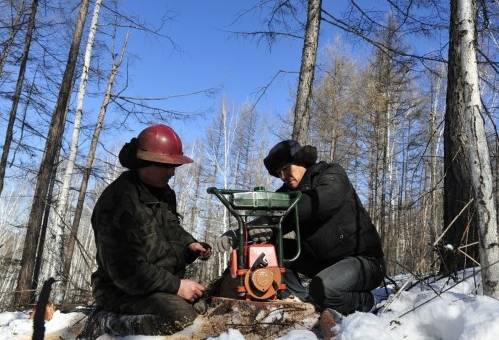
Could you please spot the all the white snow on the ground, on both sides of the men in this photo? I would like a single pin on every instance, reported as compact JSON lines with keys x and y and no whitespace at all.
{"x":440,"y":310}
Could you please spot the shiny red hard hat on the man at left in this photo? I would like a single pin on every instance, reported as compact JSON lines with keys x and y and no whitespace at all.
{"x":159,"y":143}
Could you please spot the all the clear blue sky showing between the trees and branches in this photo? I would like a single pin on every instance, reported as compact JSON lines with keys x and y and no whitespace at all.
{"x":209,"y":56}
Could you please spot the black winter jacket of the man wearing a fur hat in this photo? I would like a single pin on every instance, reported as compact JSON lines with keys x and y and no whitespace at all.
{"x":333,"y":222}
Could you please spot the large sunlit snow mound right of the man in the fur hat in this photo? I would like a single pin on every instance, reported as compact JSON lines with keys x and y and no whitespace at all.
{"x":420,"y":314}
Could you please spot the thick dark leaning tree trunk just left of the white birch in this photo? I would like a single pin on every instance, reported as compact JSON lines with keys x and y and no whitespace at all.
{"x":23,"y":294}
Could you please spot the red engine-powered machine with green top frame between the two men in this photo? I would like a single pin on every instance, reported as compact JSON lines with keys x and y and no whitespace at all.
{"x":258,"y":267}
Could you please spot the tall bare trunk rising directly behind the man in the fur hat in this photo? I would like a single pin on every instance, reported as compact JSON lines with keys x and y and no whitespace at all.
{"x":307,"y":70}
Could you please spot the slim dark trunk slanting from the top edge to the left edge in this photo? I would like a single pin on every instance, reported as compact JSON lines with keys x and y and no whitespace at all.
{"x":17,"y":93}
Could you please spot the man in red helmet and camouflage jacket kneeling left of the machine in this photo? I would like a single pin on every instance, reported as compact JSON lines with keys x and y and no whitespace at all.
{"x":142,"y":250}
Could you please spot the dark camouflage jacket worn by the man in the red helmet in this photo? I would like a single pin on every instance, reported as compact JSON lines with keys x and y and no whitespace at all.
{"x":141,"y":247}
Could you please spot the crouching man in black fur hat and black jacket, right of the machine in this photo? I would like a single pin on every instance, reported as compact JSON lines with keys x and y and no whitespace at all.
{"x":340,"y":248}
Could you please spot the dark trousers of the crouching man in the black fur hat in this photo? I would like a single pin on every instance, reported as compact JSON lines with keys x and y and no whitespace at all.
{"x":344,"y":286}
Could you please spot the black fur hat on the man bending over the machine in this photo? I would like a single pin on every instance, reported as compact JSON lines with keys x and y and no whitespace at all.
{"x":289,"y":151}
